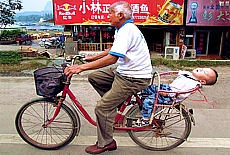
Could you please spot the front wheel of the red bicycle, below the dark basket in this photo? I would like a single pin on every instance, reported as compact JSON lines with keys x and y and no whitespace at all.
{"x":33,"y":115}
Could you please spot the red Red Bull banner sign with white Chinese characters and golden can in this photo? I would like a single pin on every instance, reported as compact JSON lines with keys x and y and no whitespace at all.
{"x":92,"y":12}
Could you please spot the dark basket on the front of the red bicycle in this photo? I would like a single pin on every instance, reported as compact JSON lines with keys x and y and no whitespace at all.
{"x":49,"y":81}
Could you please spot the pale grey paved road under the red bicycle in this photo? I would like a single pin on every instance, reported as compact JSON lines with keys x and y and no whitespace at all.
{"x":210,"y":135}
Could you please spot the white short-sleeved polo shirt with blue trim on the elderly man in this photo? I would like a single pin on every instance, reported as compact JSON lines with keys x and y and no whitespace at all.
{"x":131,"y":48}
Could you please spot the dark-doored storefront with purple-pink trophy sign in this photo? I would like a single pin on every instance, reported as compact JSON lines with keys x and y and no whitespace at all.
{"x":207,"y":27}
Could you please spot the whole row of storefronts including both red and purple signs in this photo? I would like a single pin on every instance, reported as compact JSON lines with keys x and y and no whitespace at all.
{"x":201,"y":25}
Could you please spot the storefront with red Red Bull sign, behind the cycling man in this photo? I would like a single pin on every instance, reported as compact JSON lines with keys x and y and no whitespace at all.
{"x":161,"y":22}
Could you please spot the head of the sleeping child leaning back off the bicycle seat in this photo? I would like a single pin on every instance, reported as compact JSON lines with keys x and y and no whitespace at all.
{"x":207,"y":76}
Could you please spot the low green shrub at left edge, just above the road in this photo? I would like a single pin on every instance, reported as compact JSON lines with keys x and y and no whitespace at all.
{"x":10,"y":57}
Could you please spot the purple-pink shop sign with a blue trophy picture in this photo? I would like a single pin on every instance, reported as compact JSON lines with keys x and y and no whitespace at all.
{"x":208,"y":13}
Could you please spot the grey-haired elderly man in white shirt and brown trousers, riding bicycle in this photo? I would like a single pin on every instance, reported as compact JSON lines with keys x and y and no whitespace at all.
{"x":115,"y":84}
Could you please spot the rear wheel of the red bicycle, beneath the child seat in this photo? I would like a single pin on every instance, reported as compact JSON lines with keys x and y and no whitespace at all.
{"x":168,"y":131}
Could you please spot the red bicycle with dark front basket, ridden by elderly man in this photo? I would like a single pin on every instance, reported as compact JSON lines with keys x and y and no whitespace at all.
{"x":51,"y":122}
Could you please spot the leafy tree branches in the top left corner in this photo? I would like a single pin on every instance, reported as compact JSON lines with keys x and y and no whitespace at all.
{"x":8,"y":10}
